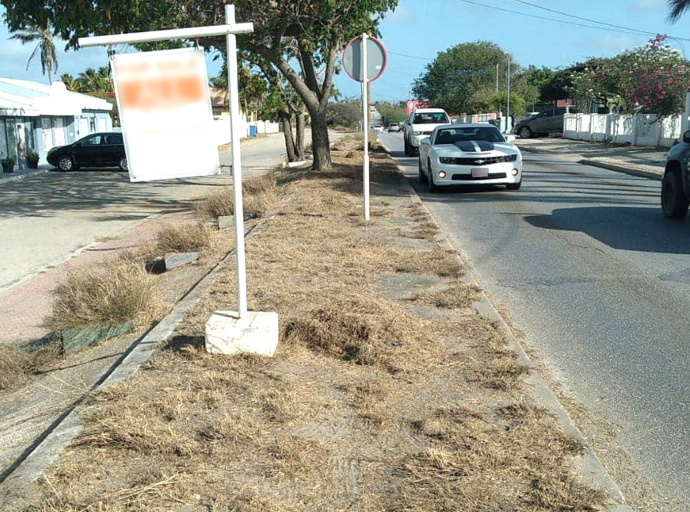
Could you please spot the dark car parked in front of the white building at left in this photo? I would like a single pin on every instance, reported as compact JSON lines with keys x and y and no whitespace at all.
{"x":104,"y":149}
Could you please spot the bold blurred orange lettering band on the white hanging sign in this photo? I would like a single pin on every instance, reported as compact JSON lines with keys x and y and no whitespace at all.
{"x":161,"y":93}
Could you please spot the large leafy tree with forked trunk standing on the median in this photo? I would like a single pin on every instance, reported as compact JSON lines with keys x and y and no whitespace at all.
{"x":308,"y":34}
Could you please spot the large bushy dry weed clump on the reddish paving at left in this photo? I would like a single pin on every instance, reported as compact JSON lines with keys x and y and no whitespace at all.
{"x":112,"y":293}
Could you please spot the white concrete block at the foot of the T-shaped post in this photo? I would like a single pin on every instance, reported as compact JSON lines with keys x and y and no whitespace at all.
{"x":255,"y":334}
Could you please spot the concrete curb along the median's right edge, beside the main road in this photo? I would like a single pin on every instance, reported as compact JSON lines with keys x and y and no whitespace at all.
{"x":588,"y":465}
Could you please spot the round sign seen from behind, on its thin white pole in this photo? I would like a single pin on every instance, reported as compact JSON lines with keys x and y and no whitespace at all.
{"x":364,"y":60}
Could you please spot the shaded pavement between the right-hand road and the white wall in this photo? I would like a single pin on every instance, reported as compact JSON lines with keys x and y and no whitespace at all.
{"x":640,"y":161}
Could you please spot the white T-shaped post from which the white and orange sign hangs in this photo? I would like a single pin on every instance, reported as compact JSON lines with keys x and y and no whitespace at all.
{"x":229,"y":30}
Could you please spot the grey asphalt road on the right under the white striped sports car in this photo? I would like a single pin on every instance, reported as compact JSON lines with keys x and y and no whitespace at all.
{"x":585,"y":264}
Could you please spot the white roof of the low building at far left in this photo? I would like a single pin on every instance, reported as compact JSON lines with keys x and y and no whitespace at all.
{"x":30,"y":99}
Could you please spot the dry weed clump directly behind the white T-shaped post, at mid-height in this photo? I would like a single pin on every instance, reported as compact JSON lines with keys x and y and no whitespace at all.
{"x":259,"y":196}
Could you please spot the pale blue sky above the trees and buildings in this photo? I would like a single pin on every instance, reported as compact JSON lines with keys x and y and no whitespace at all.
{"x":418,"y":30}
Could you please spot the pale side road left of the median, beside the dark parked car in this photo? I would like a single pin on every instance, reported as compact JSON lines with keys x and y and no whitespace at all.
{"x":49,"y":217}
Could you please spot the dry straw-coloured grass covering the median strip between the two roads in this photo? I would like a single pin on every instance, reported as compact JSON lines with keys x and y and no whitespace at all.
{"x":364,"y":406}
